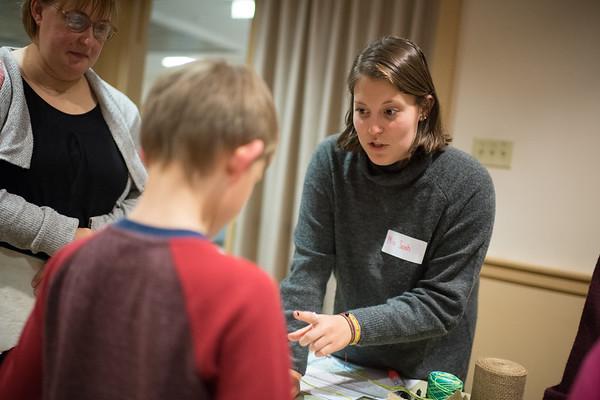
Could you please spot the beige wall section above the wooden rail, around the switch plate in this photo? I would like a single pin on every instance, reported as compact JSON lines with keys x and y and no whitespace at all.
{"x":527,"y":71}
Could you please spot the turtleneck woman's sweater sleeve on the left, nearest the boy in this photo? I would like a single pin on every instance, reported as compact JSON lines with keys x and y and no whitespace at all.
{"x":314,"y":256}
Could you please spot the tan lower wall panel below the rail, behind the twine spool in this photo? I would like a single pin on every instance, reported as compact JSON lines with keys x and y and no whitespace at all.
{"x":534,"y":327}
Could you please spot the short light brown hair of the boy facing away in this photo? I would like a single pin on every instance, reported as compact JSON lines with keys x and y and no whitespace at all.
{"x":196,"y":112}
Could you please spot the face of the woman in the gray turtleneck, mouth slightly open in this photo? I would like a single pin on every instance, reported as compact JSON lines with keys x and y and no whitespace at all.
{"x":385,"y":119}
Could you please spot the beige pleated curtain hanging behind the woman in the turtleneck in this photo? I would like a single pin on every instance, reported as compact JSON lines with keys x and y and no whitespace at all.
{"x":304,"y":50}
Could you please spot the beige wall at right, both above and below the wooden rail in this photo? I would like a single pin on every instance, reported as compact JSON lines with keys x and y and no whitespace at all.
{"x":527,"y":71}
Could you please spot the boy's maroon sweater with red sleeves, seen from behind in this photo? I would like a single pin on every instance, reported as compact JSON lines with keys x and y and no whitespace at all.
{"x":143,"y":313}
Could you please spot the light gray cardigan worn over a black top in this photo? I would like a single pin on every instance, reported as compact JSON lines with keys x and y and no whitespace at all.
{"x":42,"y":229}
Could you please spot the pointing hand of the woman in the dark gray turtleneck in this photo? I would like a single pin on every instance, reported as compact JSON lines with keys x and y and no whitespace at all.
{"x":324,"y":335}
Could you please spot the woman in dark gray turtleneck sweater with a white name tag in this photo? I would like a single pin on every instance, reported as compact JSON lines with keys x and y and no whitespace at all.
{"x":401,"y":219}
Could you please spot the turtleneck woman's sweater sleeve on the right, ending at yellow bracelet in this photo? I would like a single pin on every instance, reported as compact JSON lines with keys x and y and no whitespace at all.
{"x":438,"y":301}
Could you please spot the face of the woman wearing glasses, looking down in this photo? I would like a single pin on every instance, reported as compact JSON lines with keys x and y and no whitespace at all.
{"x":67,"y":53}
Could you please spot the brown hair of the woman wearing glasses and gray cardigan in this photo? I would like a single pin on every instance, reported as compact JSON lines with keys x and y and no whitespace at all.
{"x":103,"y":8}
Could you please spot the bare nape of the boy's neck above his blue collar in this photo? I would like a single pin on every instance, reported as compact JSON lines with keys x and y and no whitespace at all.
{"x":169,"y":201}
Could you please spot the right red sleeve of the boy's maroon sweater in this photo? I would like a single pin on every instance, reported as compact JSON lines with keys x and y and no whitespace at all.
{"x":237,"y":326}
